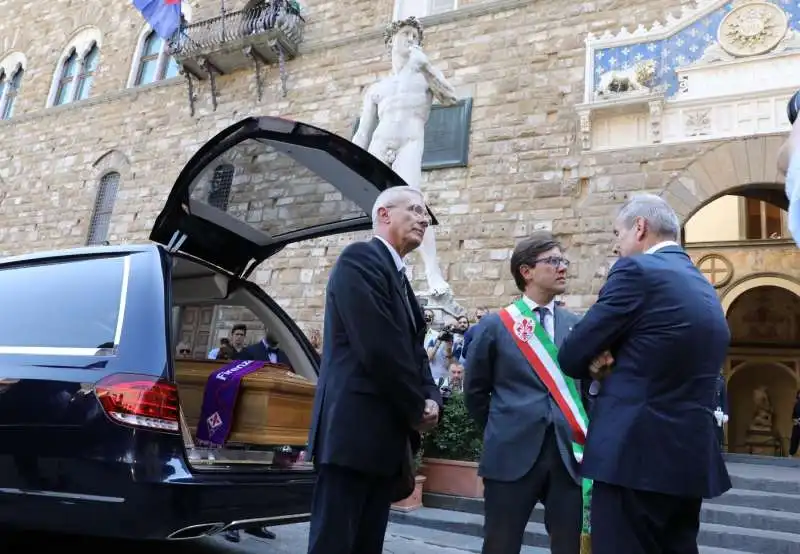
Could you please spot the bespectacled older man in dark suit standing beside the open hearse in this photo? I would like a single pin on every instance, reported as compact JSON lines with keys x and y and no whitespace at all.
{"x":375,"y":391}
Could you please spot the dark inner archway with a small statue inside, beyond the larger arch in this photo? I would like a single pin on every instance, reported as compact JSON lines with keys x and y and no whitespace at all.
{"x":763,"y":368}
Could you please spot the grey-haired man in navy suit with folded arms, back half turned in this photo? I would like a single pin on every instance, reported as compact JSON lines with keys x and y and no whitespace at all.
{"x":651,"y":448}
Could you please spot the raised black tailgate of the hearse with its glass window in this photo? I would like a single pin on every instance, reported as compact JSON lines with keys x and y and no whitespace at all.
{"x":263,"y":183}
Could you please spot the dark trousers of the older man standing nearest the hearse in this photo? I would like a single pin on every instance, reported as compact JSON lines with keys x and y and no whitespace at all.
{"x":349,"y":512}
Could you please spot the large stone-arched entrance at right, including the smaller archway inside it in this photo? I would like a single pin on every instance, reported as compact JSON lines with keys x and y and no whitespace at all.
{"x":735,"y":230}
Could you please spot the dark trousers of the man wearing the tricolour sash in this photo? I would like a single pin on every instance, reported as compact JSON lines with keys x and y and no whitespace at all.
{"x":508,"y":505}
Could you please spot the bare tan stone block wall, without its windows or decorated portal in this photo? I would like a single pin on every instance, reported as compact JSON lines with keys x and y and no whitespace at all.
{"x":522,"y":62}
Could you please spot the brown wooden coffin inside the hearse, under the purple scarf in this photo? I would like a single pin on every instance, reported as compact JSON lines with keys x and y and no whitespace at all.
{"x":273,"y":407}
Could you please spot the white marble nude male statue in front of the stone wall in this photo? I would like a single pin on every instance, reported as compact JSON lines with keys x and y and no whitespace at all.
{"x":393,"y":117}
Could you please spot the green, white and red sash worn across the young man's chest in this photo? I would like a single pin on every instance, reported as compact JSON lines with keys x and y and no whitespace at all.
{"x":542,"y":353}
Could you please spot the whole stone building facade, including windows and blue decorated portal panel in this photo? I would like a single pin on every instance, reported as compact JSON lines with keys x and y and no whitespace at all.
{"x":555,"y":142}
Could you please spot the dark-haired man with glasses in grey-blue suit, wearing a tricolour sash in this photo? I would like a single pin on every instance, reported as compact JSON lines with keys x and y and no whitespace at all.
{"x":528,"y":453}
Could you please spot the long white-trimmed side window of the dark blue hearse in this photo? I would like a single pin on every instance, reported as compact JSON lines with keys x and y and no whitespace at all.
{"x":66,"y":304}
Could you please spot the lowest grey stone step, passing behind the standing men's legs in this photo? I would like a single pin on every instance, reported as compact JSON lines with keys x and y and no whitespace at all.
{"x":714,"y":535}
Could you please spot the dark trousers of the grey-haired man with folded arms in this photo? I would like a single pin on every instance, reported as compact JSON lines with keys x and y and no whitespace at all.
{"x":640,"y":522}
